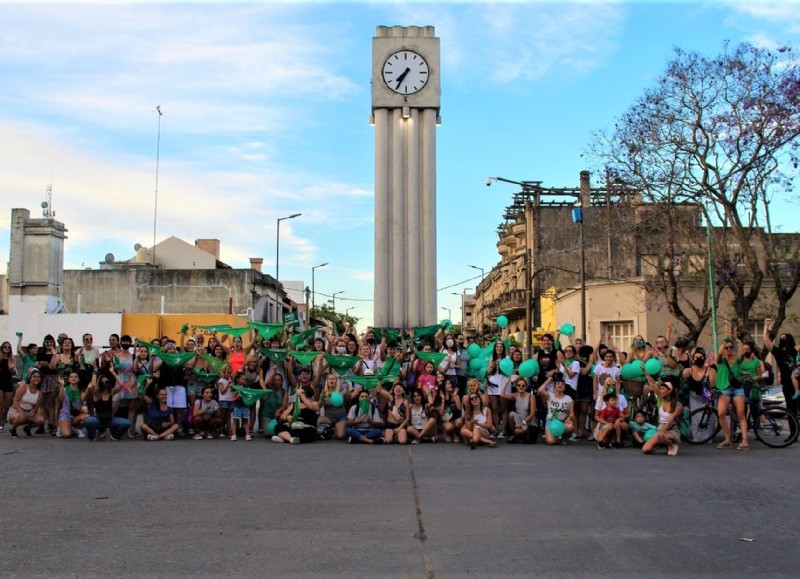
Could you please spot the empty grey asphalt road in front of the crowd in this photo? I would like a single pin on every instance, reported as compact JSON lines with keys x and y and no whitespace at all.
{"x":328,"y":509}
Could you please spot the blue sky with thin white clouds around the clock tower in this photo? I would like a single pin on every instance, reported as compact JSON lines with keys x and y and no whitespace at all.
{"x":266,"y":113}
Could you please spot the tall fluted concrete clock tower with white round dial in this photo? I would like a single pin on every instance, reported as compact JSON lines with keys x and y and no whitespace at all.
{"x":406,"y":95}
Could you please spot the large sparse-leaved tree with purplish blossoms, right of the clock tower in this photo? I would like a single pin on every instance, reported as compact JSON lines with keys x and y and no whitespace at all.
{"x":719,"y":133}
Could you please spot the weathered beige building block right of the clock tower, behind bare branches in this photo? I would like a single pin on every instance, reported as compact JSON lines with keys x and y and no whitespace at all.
{"x":619,"y":257}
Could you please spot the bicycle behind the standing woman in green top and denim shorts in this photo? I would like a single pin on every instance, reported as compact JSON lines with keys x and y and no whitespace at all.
{"x":776,"y":427}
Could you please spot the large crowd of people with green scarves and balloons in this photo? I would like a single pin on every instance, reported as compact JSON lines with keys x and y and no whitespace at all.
{"x":382,"y":387}
